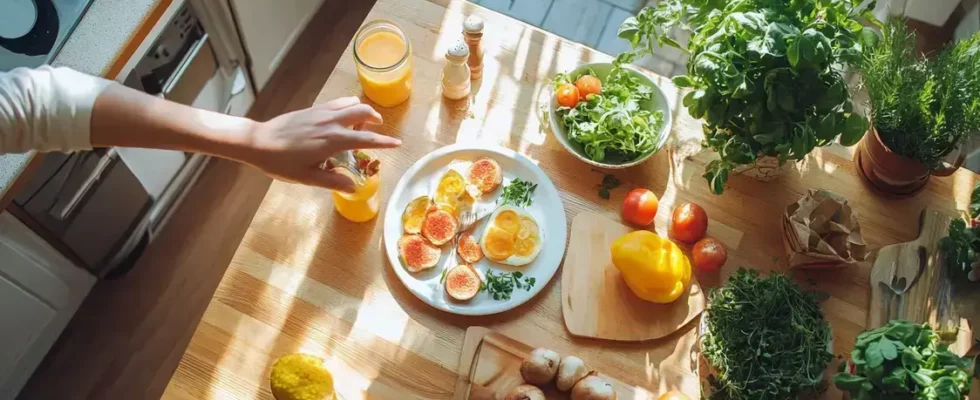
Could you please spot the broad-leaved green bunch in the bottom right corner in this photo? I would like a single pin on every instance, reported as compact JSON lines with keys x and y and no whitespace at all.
{"x":904,"y":360}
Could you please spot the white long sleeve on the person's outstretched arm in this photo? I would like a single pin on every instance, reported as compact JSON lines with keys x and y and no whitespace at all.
{"x":47,"y":109}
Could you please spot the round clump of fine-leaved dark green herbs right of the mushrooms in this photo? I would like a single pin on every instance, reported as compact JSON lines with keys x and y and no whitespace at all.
{"x":766,"y":339}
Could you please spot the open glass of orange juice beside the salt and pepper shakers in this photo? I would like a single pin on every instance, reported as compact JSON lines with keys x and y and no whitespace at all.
{"x":384,"y":62}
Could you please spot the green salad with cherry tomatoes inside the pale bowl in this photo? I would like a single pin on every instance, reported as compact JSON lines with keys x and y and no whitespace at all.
{"x":606,"y":117}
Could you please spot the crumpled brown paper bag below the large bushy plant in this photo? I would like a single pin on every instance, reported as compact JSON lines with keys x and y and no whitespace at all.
{"x":821,"y":231}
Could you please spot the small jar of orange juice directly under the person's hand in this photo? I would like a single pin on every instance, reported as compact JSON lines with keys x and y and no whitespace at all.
{"x":364,"y":203}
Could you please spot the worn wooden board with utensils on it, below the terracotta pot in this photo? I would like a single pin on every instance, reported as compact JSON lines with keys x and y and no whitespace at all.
{"x":930,"y":299}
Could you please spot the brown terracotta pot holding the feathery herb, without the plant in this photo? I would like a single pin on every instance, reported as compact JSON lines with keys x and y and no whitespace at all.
{"x":892,"y":173}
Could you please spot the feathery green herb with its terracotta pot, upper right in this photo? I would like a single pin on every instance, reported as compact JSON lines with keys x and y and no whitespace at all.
{"x":922,"y":110}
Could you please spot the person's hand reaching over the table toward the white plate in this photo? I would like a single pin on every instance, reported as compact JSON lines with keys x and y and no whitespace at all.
{"x":291,"y":147}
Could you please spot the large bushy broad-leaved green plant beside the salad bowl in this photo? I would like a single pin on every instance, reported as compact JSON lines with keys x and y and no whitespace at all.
{"x":764,"y":73}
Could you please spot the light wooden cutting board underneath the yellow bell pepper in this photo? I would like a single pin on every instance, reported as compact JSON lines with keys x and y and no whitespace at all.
{"x":595,"y":300}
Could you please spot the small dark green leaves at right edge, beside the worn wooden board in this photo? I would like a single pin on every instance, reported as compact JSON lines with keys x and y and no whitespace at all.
{"x":960,"y":249}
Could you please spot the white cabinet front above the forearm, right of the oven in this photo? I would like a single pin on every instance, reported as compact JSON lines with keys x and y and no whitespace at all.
{"x":269,"y":29}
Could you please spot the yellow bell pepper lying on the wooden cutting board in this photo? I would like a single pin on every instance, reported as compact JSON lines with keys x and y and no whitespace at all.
{"x":654,"y":268}
